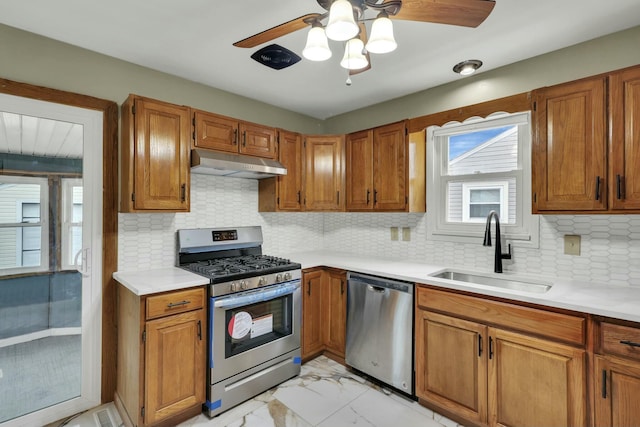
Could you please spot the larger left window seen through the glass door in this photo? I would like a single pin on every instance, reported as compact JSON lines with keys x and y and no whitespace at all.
{"x":24,"y":231}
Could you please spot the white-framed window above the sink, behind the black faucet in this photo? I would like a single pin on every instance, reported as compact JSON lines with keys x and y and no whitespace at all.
{"x":476,"y":167}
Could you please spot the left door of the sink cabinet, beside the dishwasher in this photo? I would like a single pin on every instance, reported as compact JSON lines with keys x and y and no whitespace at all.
{"x":451,"y":364}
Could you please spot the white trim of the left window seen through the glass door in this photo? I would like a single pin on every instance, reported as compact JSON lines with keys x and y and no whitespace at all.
{"x":43,"y":224}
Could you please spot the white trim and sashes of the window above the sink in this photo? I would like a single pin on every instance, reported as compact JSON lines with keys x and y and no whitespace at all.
{"x":525,"y":232}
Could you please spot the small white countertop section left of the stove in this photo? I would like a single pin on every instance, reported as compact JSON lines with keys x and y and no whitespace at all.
{"x":146,"y":282}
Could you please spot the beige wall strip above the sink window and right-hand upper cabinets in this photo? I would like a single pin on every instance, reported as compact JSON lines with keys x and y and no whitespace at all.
{"x":607,"y":53}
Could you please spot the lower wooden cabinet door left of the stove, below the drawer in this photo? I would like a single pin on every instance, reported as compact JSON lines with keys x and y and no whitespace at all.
{"x":175,"y":373}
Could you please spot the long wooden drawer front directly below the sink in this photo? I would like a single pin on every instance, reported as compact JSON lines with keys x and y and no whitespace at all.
{"x":555,"y":326}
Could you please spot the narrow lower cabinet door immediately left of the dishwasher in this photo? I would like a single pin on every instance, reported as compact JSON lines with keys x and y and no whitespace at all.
{"x":335,"y":311}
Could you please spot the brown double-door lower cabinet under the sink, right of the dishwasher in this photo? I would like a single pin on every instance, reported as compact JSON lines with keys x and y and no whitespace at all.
{"x":485,"y":372}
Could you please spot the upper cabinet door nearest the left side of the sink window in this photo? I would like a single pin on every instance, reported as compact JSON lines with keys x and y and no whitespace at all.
{"x":390,"y":168}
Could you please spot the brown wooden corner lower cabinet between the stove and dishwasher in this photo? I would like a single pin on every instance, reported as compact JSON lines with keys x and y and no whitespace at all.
{"x":324,"y":310}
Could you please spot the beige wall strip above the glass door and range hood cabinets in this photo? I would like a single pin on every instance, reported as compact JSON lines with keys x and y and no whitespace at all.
{"x":29,"y":58}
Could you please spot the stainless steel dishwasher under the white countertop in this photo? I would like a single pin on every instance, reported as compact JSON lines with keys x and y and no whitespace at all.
{"x":380,"y":329}
